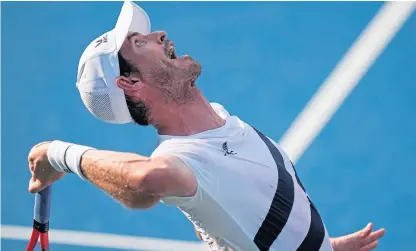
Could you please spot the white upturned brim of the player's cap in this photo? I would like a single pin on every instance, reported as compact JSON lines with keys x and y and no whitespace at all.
{"x":131,"y":18}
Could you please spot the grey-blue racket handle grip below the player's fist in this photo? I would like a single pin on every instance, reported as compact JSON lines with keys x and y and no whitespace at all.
{"x":43,"y":206}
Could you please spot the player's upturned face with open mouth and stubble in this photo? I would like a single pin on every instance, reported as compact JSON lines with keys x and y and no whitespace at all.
{"x":157,"y":71}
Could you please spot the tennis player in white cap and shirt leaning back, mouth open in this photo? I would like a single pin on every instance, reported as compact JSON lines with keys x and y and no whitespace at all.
{"x":236,"y":185}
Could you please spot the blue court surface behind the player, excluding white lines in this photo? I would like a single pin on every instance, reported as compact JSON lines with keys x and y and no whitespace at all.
{"x":263,"y":61}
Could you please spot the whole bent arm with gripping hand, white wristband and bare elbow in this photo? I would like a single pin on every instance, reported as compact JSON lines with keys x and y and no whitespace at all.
{"x":133,"y":180}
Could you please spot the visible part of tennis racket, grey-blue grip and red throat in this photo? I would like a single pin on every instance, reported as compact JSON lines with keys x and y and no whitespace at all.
{"x":41,"y":220}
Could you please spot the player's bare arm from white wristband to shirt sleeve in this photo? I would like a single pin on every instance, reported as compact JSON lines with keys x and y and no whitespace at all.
{"x":137,"y":181}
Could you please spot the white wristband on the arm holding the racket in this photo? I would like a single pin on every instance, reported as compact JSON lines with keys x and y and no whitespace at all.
{"x":66,"y":157}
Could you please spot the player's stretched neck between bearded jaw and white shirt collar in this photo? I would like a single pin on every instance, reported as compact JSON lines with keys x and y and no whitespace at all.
{"x":185,"y":119}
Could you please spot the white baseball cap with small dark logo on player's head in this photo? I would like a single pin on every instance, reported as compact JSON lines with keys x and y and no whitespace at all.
{"x":98,"y":67}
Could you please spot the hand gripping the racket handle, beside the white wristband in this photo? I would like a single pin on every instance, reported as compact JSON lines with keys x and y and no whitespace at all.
{"x":43,"y":174}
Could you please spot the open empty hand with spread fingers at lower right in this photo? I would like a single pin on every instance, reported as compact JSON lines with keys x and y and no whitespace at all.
{"x":362,"y":240}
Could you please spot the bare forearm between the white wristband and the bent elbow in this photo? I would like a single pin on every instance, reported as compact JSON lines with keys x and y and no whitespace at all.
{"x":120,"y":175}
